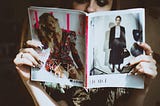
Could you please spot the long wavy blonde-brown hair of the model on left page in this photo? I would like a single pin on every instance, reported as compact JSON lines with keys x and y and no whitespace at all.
{"x":44,"y":33}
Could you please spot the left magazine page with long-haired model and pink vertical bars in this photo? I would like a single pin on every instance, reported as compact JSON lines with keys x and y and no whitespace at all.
{"x":61,"y":33}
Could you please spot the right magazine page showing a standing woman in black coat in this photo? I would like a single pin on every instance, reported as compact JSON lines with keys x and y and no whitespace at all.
{"x":113,"y":39}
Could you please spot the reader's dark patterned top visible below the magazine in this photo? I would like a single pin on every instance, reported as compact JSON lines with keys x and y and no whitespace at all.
{"x":77,"y":96}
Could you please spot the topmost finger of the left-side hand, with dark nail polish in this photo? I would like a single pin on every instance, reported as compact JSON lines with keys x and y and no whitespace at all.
{"x":34,"y":43}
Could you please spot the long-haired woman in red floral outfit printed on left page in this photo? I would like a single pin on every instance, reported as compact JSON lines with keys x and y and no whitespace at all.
{"x":61,"y":43}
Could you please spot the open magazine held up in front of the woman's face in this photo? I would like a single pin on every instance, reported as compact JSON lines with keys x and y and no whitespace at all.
{"x":88,"y":50}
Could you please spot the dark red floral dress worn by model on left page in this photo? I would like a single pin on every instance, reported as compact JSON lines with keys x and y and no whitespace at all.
{"x":62,"y":50}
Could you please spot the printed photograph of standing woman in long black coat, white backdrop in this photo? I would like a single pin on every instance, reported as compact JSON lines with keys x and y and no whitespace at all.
{"x":116,"y":39}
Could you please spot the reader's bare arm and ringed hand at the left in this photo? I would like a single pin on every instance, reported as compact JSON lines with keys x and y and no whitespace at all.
{"x":25,"y":59}
